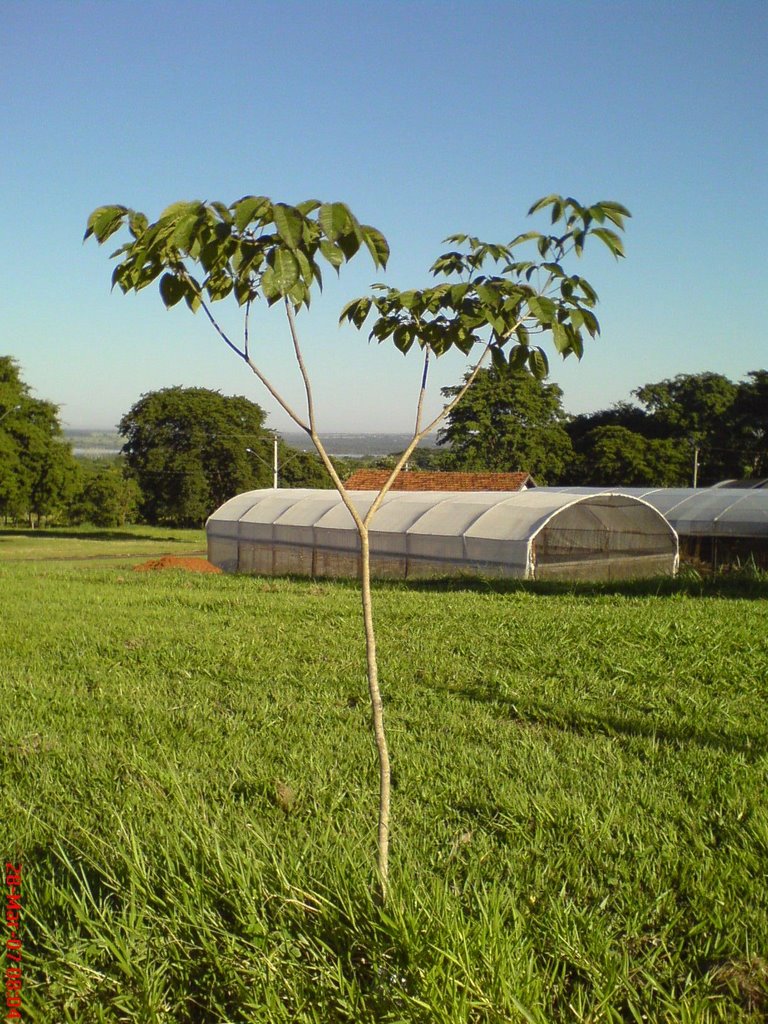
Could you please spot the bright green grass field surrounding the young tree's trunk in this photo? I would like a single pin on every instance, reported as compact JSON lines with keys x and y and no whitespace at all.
{"x":580,"y":834}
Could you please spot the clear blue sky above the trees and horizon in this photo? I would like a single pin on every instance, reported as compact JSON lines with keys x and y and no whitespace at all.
{"x":428,"y":118}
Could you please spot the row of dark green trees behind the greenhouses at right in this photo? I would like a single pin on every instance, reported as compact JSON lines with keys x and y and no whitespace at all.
{"x":694,"y":425}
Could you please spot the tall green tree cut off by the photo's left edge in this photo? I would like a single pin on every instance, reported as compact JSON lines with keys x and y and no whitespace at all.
{"x":39,"y":474}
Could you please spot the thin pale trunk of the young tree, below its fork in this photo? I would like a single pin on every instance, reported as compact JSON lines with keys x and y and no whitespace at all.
{"x":377,"y":712}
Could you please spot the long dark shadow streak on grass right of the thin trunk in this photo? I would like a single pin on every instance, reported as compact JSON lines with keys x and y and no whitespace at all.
{"x":537,"y":713}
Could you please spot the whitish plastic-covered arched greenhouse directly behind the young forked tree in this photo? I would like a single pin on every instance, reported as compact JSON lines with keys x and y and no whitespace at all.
{"x":534,"y":534}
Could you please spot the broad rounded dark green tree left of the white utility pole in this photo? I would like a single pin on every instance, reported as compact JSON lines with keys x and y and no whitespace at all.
{"x":189,"y":451}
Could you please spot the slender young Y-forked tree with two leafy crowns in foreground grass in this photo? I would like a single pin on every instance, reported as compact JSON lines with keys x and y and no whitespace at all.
{"x":495,"y":302}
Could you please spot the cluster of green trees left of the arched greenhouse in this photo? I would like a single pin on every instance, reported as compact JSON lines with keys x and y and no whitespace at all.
{"x":186,"y":452}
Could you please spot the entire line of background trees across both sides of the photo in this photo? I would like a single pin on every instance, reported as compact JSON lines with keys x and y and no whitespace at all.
{"x":188,"y":450}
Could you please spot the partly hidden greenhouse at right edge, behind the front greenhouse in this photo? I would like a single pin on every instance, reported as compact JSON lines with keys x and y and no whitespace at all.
{"x":720,"y":525}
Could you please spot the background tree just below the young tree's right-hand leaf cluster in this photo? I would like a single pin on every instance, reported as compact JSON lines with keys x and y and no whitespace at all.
{"x":508,"y":421}
